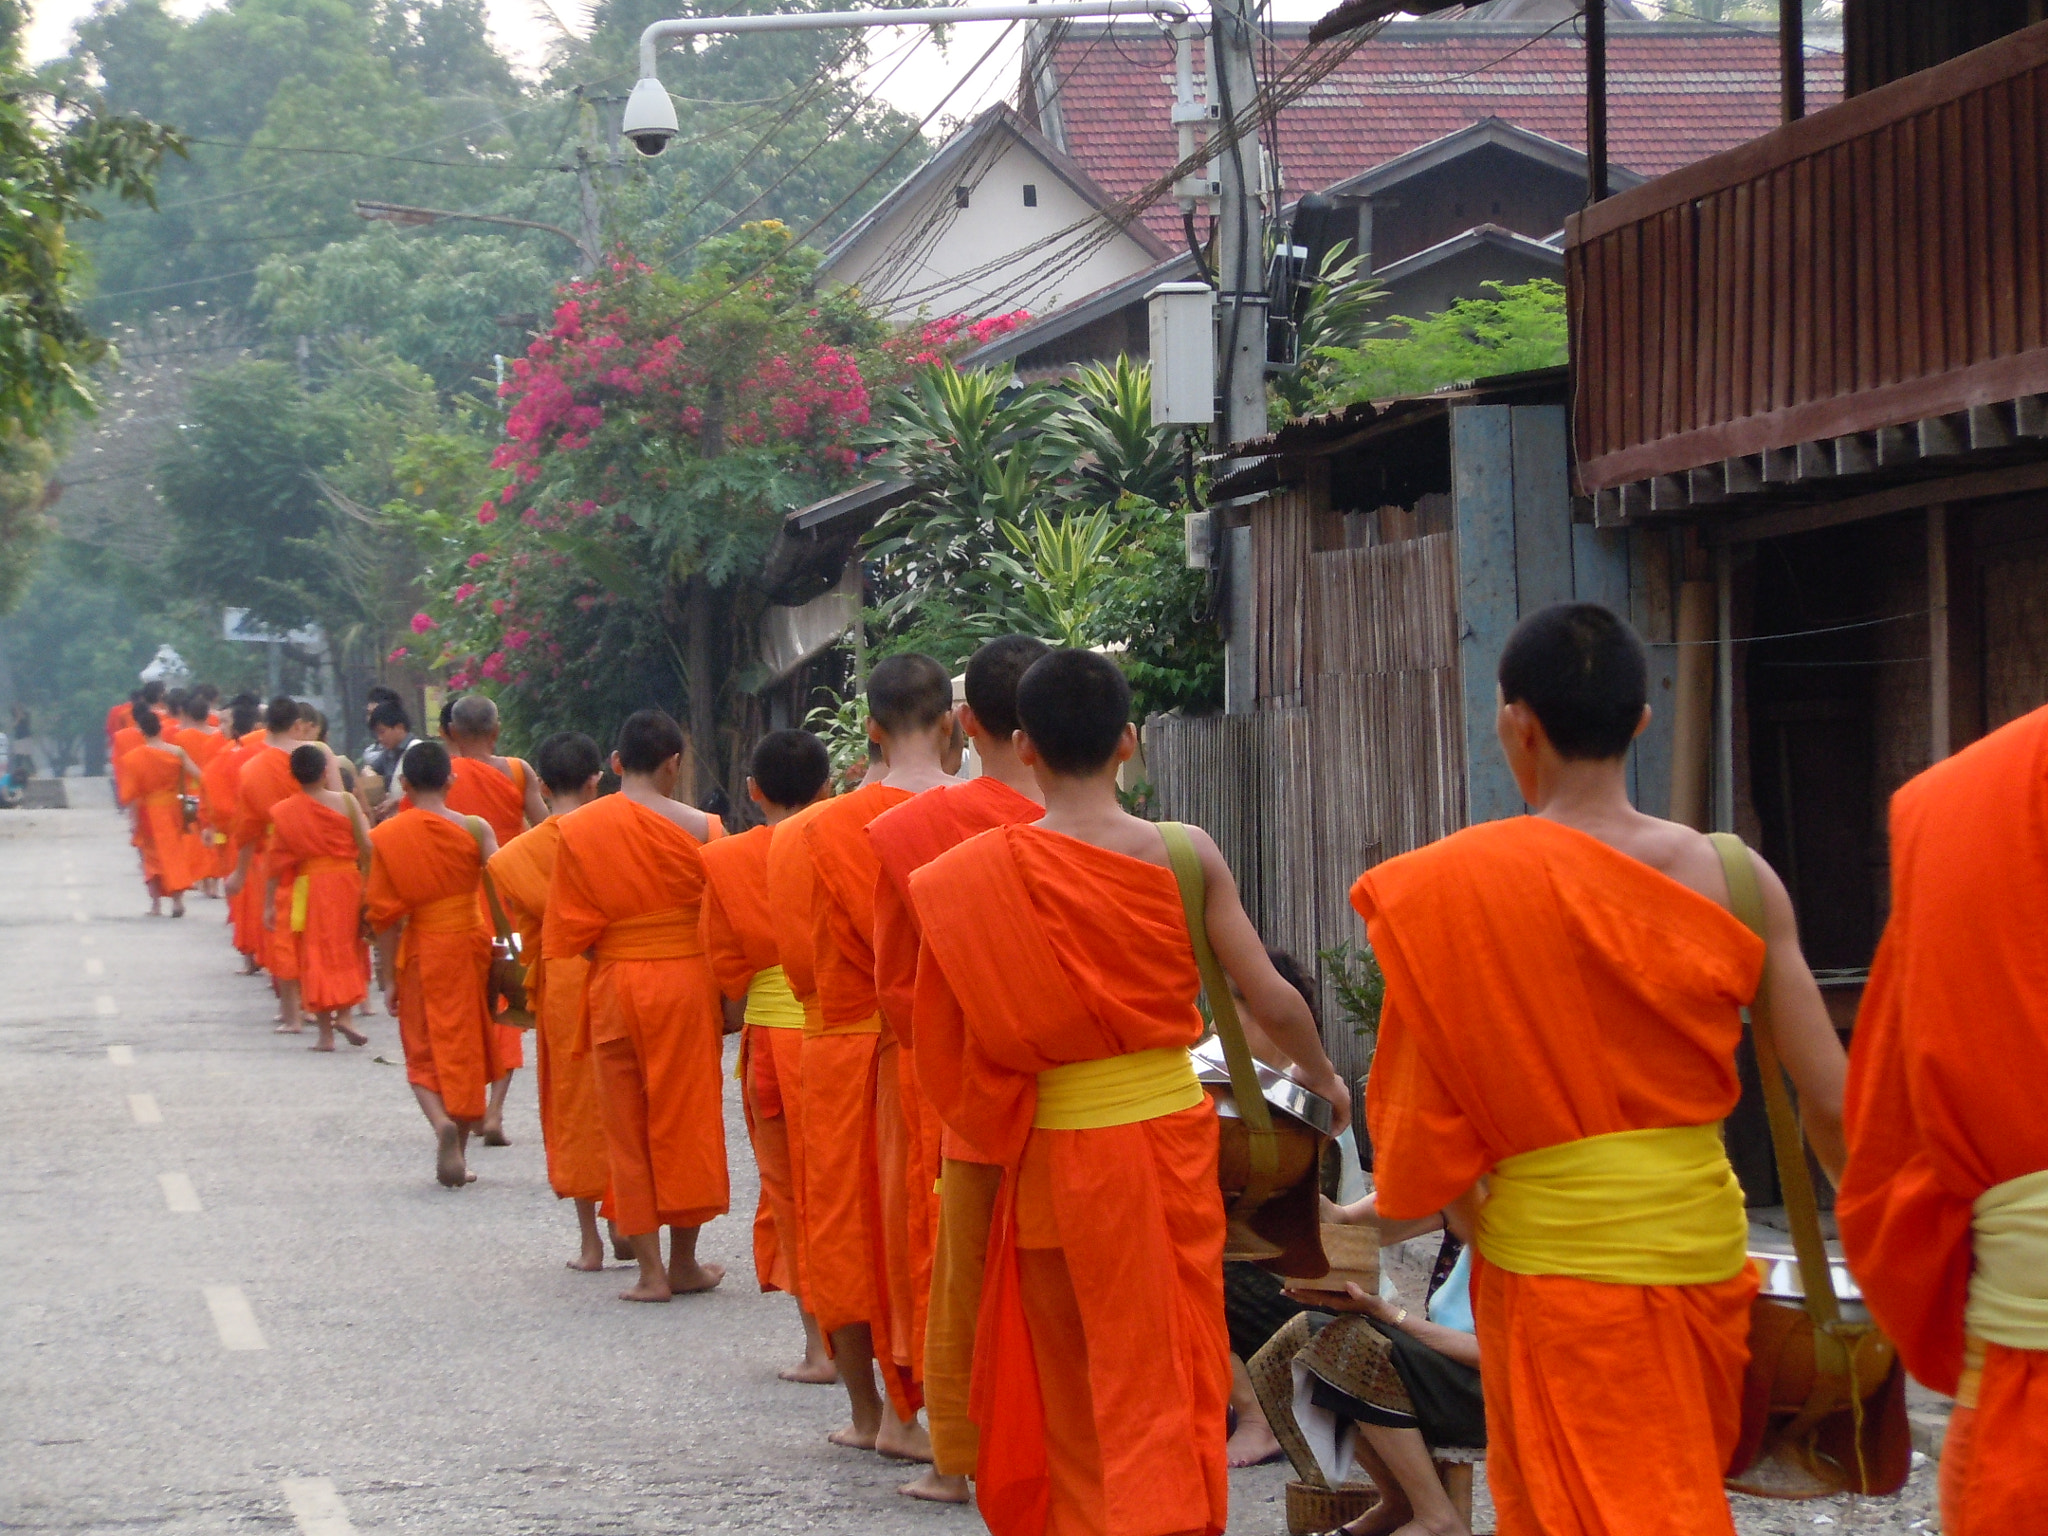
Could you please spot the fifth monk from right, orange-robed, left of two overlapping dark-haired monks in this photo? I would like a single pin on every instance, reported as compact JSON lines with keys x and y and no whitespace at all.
{"x":849,"y":1076}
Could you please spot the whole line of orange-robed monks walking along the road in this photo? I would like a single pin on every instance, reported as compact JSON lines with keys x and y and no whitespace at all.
{"x":988,"y":1172}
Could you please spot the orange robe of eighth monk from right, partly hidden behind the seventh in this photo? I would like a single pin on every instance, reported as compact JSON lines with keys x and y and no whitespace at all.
{"x":570,"y":1125}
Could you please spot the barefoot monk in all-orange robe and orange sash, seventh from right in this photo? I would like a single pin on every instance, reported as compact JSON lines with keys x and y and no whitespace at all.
{"x":628,"y":892}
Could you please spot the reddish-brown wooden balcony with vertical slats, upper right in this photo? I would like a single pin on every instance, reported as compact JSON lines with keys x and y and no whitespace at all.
{"x":1854,"y":294}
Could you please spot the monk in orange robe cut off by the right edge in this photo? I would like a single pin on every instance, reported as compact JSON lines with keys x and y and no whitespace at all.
{"x":1945,"y":1205}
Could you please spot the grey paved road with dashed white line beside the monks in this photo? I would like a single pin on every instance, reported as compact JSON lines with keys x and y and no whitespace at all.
{"x":237,"y":1299}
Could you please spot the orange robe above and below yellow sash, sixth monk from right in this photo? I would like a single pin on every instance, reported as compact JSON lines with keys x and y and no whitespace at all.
{"x":738,"y":937}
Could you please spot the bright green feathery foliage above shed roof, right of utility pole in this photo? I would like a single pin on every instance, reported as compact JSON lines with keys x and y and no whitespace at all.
{"x":1523,"y":327}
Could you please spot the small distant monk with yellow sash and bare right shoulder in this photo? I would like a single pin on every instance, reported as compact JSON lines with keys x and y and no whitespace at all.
{"x":321,"y":845}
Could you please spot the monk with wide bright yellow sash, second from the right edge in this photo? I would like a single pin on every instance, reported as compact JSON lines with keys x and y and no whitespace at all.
{"x":1564,"y":1007}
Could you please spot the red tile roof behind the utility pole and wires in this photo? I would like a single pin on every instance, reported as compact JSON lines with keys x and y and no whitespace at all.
{"x":1674,"y":95}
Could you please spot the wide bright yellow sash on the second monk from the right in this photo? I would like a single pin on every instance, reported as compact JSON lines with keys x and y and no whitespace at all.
{"x":1635,"y":1209}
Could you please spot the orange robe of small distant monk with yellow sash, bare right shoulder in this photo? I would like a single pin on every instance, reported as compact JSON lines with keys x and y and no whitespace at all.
{"x":318,"y":845}
